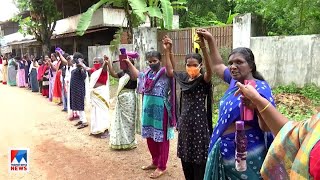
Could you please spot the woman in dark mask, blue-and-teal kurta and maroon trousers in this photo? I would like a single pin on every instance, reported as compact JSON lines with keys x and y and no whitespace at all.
{"x":158,"y":110}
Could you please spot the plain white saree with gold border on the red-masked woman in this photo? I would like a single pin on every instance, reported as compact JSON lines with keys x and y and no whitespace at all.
{"x":100,"y":110}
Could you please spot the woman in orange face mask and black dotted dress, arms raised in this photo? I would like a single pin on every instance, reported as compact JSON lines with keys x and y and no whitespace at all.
{"x":195,"y":120}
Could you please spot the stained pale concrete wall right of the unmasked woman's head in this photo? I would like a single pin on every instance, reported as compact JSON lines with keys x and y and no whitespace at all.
{"x":285,"y":59}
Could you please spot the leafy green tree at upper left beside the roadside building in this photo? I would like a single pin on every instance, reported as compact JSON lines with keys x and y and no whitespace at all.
{"x":40,"y":21}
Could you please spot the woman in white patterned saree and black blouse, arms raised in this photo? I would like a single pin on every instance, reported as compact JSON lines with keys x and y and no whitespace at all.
{"x":123,"y":126}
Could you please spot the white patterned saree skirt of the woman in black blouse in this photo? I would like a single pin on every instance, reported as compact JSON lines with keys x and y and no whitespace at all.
{"x":123,"y":128}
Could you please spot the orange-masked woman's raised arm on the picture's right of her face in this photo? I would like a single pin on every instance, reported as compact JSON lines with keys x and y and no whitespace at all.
{"x":207,"y":60}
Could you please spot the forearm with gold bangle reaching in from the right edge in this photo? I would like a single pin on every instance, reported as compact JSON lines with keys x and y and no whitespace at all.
{"x":269,"y":114}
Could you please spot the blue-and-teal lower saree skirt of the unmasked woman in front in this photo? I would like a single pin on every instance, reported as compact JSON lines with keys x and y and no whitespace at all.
{"x":221,"y":161}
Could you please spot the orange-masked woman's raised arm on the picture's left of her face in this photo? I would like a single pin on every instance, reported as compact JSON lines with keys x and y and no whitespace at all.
{"x":168,"y":62}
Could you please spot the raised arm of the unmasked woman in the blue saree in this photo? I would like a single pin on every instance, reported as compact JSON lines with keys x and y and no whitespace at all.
{"x":217,"y":62}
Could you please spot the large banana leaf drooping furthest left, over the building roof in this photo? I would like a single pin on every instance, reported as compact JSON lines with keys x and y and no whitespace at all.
{"x":86,"y":17}
